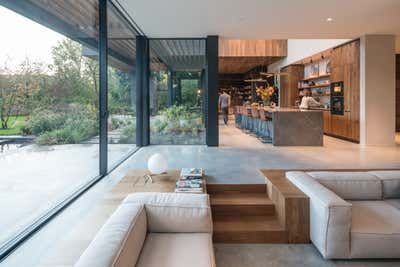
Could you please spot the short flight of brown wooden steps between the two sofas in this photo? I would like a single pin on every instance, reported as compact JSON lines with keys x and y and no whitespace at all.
{"x":244,"y":214}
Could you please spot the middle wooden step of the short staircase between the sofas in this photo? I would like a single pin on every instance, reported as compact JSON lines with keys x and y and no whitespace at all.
{"x":241,"y":204}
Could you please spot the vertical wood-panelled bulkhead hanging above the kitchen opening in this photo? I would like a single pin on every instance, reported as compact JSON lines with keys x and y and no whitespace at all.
{"x":252,"y":48}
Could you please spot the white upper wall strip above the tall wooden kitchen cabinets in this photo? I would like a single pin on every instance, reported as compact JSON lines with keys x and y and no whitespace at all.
{"x":302,"y":48}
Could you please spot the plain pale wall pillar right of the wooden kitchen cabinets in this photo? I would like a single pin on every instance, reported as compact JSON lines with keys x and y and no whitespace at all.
{"x":377,"y":90}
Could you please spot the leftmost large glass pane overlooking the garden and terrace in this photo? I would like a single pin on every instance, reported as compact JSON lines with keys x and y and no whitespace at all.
{"x":49,"y":84}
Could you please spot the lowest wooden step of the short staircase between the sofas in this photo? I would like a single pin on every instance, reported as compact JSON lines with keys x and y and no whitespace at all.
{"x":248,"y":229}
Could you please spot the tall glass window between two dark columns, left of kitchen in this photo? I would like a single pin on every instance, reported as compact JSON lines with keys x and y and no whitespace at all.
{"x":177,"y":91}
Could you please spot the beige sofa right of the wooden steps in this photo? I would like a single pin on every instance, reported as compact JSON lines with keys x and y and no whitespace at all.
{"x":353,"y":214}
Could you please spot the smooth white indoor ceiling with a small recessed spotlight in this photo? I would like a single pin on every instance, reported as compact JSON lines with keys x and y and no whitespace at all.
{"x":265,"y":19}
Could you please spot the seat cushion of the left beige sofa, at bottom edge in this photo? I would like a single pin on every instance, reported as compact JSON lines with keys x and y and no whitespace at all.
{"x":177,"y":250}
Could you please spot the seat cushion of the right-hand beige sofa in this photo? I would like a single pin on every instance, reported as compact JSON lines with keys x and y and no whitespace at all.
{"x":375,"y":230}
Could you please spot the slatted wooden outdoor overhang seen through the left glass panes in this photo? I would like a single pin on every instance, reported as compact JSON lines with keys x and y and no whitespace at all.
{"x":78,"y":20}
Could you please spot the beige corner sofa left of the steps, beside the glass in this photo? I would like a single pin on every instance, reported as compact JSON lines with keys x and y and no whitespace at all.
{"x":155,"y":229}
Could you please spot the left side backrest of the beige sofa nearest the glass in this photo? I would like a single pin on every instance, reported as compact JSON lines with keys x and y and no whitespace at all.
{"x":119,"y":241}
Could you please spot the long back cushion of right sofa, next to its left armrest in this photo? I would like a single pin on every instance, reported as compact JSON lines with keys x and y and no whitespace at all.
{"x":351,"y":185}
